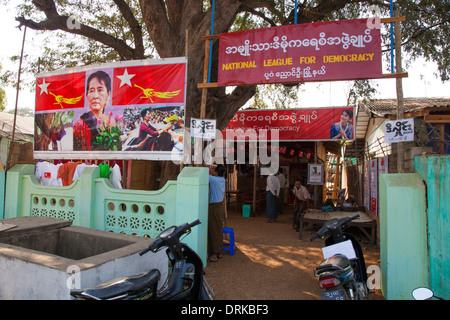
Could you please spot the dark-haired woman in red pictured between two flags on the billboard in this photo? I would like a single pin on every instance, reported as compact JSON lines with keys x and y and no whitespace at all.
{"x":86,"y":129}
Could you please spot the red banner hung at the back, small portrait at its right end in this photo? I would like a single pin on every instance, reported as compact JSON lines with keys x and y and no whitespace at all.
{"x":294,"y":124}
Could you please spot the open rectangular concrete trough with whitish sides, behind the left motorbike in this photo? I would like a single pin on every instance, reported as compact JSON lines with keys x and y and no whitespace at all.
{"x":43,"y":258}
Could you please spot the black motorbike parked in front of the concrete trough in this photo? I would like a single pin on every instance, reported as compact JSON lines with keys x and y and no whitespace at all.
{"x":185,"y":280}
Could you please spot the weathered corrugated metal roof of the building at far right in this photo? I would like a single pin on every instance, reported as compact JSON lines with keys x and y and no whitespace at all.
{"x":385,"y":107}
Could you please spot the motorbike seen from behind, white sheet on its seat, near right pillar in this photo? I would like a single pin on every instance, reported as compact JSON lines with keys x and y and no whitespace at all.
{"x":343,"y":276}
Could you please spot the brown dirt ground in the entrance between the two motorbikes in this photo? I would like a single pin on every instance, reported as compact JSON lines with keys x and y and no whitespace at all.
{"x":271,"y":263}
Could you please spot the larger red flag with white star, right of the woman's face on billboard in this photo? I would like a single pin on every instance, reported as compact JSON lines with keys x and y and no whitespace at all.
{"x":155,"y":84}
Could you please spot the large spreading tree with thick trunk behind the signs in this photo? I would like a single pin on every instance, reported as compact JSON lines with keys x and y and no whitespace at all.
{"x":130,"y":29}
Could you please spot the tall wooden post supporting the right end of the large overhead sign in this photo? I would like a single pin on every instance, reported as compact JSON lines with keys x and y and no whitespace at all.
{"x":398,"y":69}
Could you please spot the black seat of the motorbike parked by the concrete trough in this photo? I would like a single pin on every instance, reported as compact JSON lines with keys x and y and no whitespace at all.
{"x":121,"y":286}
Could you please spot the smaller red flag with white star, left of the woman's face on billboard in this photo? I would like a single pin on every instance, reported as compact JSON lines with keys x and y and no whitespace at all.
{"x":65,"y":91}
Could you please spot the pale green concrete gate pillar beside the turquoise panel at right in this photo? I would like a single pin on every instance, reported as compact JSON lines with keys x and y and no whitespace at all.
{"x":403,"y":235}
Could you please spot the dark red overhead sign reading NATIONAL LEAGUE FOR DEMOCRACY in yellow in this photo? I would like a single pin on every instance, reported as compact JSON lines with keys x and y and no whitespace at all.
{"x":322,"y":51}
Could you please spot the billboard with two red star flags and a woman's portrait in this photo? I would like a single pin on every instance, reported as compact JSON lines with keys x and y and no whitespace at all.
{"x":125,"y":110}
